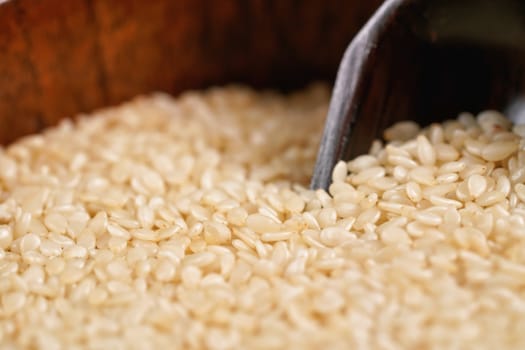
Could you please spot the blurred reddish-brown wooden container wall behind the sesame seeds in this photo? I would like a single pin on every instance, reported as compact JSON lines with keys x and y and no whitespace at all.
{"x":58,"y":58}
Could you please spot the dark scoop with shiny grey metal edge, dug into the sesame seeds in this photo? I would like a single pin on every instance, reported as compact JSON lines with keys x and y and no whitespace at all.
{"x":424,"y":60}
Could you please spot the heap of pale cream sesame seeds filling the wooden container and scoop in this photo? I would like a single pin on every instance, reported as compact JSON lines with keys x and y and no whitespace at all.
{"x":186,"y":223}
